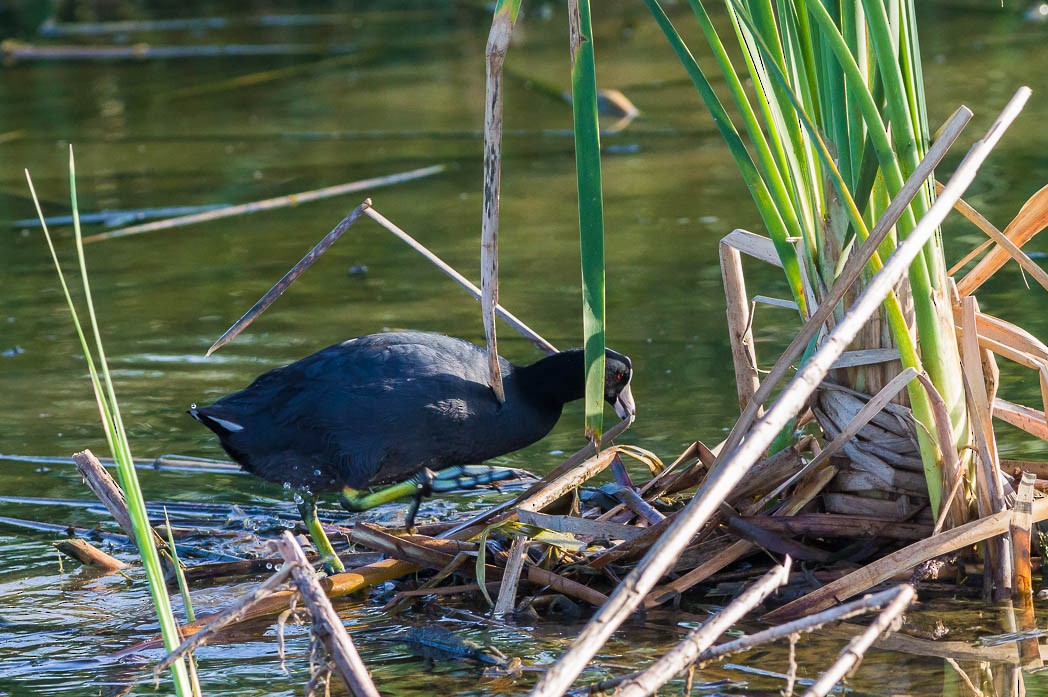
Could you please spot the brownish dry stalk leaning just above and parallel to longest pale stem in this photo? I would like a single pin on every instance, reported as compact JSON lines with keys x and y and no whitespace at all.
{"x":853,"y":271}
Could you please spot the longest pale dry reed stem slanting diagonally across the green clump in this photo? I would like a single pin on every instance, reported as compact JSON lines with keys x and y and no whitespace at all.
{"x":737,"y":463}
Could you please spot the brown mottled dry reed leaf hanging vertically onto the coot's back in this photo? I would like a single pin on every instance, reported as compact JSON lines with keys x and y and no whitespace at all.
{"x":498,"y":43}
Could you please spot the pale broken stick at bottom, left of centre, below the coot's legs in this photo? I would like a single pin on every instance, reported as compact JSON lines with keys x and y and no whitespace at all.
{"x":326,"y":622}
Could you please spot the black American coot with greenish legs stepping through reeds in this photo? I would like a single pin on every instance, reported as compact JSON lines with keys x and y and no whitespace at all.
{"x":395,"y":408}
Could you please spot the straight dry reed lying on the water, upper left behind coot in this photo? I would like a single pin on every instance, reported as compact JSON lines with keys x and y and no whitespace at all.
{"x":270,"y":204}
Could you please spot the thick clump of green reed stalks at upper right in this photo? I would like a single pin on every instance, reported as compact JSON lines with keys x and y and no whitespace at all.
{"x":835,"y":125}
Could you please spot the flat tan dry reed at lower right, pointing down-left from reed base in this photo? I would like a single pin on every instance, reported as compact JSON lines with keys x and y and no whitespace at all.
{"x":909,"y":557}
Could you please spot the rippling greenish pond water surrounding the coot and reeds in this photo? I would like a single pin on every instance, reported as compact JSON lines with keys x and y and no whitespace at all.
{"x":180,"y":133}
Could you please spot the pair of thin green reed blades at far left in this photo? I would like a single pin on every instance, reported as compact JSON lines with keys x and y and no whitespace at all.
{"x":105,"y":397}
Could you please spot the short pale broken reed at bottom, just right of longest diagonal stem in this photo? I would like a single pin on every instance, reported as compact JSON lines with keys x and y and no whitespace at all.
{"x":700,"y":640}
